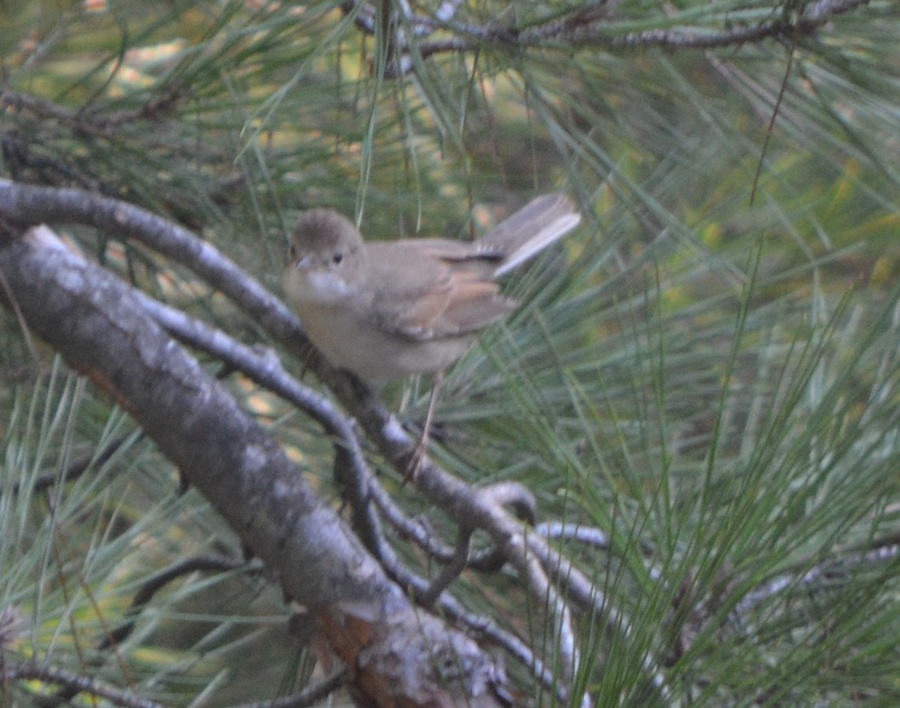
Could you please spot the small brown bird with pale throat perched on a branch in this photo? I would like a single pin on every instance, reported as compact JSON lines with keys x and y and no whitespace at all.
{"x":390,"y":309}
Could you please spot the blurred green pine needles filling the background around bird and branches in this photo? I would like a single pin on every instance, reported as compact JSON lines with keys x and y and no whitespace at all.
{"x":707,"y":370}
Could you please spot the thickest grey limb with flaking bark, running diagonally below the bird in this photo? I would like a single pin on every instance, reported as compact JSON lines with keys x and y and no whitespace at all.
{"x":102,"y":330}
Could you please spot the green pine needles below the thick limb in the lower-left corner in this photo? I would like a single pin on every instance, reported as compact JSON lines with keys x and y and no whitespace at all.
{"x":84,"y":532}
